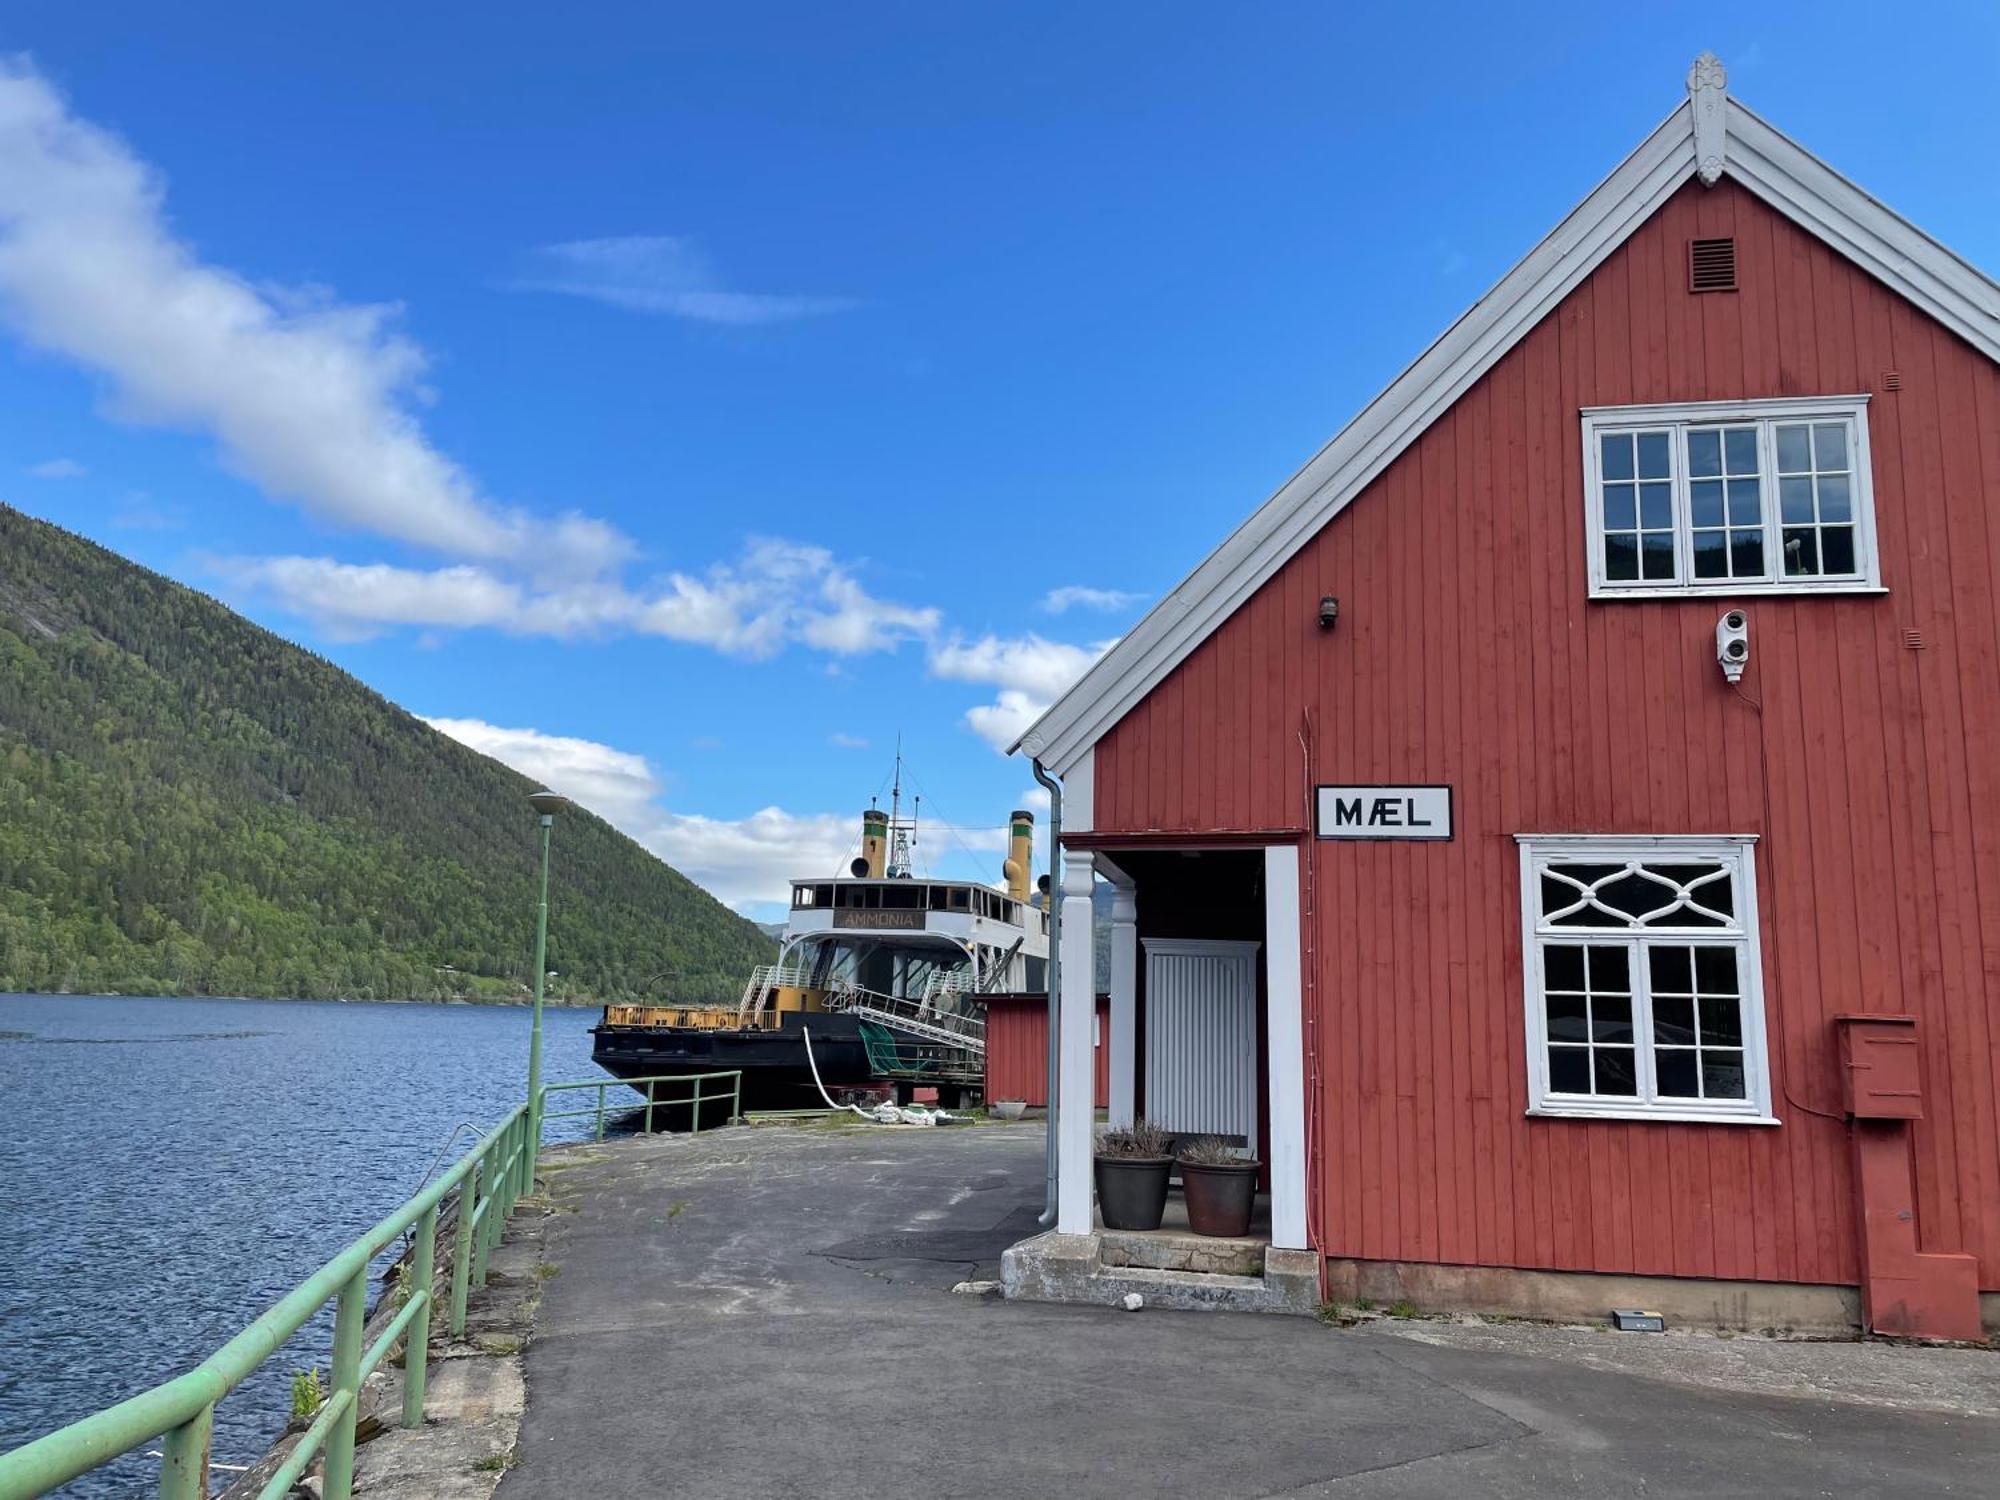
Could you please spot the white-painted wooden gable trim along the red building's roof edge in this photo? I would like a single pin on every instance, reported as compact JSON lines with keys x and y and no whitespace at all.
{"x":1711,"y":135}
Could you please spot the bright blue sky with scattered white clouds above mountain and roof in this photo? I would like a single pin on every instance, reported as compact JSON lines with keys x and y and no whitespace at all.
{"x":689,"y":401}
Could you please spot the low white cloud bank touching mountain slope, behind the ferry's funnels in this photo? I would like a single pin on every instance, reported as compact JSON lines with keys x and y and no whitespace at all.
{"x":743,"y":861}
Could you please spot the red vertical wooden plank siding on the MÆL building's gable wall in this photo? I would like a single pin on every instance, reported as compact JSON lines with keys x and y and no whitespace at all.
{"x":1469,"y":653}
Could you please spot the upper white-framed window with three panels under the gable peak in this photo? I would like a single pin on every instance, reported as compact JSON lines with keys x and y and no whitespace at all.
{"x":1731,"y":499}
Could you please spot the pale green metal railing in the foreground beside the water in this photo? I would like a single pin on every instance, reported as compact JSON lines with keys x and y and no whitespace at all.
{"x":485,"y":1183}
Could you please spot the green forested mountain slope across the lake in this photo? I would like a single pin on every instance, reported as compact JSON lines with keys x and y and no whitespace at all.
{"x":191,"y":805}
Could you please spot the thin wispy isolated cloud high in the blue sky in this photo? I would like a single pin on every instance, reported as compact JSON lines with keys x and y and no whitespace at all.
{"x":663,"y":275}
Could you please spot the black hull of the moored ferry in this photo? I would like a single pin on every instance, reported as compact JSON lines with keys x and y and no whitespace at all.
{"x":773,"y":1063}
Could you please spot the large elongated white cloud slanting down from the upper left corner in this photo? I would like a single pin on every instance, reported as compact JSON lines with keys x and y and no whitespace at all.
{"x":307,"y":399}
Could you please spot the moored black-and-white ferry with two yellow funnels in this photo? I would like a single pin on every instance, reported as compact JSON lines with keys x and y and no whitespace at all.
{"x":879,"y":983}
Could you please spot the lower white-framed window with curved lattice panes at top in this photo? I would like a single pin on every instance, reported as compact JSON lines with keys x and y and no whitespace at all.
{"x":1643,"y":979}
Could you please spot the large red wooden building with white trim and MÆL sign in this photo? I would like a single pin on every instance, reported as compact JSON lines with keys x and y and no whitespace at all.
{"x":1599,"y":751}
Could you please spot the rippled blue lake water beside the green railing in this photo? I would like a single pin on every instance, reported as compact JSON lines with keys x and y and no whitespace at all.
{"x":169,"y":1169}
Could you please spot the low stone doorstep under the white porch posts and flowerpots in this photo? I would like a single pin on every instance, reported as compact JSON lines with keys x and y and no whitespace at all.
{"x":1075,"y":1269}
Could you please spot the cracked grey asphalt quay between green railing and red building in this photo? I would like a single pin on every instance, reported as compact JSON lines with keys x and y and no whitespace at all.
{"x":769,"y":1313}
